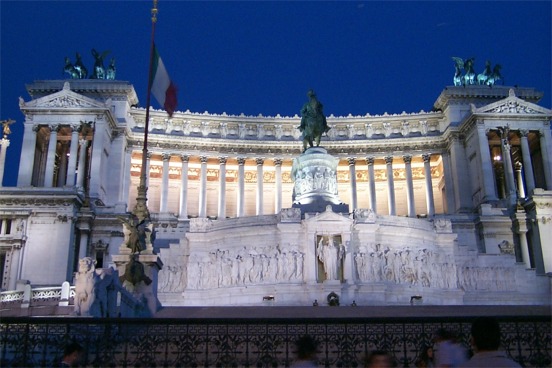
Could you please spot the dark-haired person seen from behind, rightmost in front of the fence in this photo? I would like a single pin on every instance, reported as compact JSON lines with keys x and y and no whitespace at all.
{"x":485,"y":341}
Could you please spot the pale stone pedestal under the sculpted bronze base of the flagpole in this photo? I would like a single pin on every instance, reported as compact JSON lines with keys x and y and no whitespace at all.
{"x":141,"y":290}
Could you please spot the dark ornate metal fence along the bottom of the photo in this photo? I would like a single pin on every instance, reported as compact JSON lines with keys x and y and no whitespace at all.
{"x":250,"y":342}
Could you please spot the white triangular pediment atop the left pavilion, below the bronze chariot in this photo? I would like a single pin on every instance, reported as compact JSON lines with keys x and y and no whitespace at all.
{"x":64,"y":99}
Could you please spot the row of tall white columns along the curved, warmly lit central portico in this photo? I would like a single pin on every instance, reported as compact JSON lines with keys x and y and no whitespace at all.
{"x":354,"y":164}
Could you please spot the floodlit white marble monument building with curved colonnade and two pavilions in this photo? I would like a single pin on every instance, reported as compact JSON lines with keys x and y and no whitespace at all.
{"x":452,"y":205}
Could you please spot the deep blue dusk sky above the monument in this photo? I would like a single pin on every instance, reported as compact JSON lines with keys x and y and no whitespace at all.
{"x":260,"y":57}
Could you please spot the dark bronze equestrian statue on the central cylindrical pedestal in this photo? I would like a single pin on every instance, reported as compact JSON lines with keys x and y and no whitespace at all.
{"x":313,"y":122}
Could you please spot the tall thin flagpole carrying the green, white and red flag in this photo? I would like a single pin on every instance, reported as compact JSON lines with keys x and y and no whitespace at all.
{"x":141,"y":209}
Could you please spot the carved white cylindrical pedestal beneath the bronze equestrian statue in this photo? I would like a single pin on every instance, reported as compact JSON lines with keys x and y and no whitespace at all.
{"x":315,"y":177}
